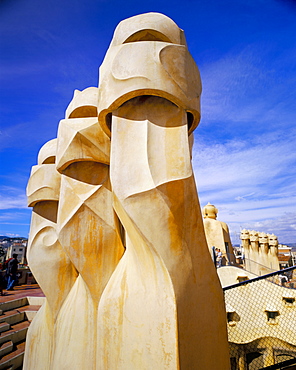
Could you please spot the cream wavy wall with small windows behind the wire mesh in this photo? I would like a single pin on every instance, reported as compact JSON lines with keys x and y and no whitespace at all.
{"x":251,"y":302}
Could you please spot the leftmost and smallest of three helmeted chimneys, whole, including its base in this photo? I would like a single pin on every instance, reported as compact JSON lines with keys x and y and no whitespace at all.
{"x":47,"y":260}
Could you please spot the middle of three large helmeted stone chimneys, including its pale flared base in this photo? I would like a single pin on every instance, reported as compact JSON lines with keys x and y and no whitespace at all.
{"x":89,"y":232}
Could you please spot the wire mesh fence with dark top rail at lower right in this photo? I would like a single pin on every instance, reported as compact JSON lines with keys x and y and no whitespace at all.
{"x":261,"y":316}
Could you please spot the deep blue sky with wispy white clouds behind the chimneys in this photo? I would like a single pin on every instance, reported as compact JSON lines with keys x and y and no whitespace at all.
{"x":244,"y":156}
